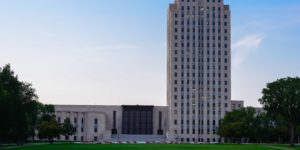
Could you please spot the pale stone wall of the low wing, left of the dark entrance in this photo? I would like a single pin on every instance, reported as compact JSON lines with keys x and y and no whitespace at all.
{"x":86,"y":130}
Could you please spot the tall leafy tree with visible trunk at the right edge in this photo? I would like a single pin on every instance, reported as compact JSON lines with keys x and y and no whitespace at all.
{"x":282,"y":99}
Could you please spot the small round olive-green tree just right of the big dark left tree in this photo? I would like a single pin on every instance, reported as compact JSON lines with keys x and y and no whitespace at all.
{"x":49,"y":130}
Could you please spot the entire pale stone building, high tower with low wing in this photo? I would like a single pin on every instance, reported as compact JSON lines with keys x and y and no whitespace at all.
{"x":198,"y":85}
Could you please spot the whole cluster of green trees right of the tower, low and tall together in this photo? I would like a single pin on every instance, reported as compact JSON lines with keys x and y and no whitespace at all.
{"x":279,"y":124}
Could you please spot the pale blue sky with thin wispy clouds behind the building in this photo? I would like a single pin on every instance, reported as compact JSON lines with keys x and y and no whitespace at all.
{"x":114,"y":52}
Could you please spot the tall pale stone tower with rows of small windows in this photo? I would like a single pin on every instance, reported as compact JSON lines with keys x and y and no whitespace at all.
{"x":199,"y":69}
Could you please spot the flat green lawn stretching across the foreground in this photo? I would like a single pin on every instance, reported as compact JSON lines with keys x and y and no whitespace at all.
{"x":152,"y":147}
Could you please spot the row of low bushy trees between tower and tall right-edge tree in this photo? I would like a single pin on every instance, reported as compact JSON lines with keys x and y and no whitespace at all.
{"x":245,"y":126}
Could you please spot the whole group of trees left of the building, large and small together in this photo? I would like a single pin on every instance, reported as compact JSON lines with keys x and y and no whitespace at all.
{"x":22,"y":116}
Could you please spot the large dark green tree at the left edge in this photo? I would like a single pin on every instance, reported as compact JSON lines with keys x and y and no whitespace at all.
{"x":18,"y":107}
